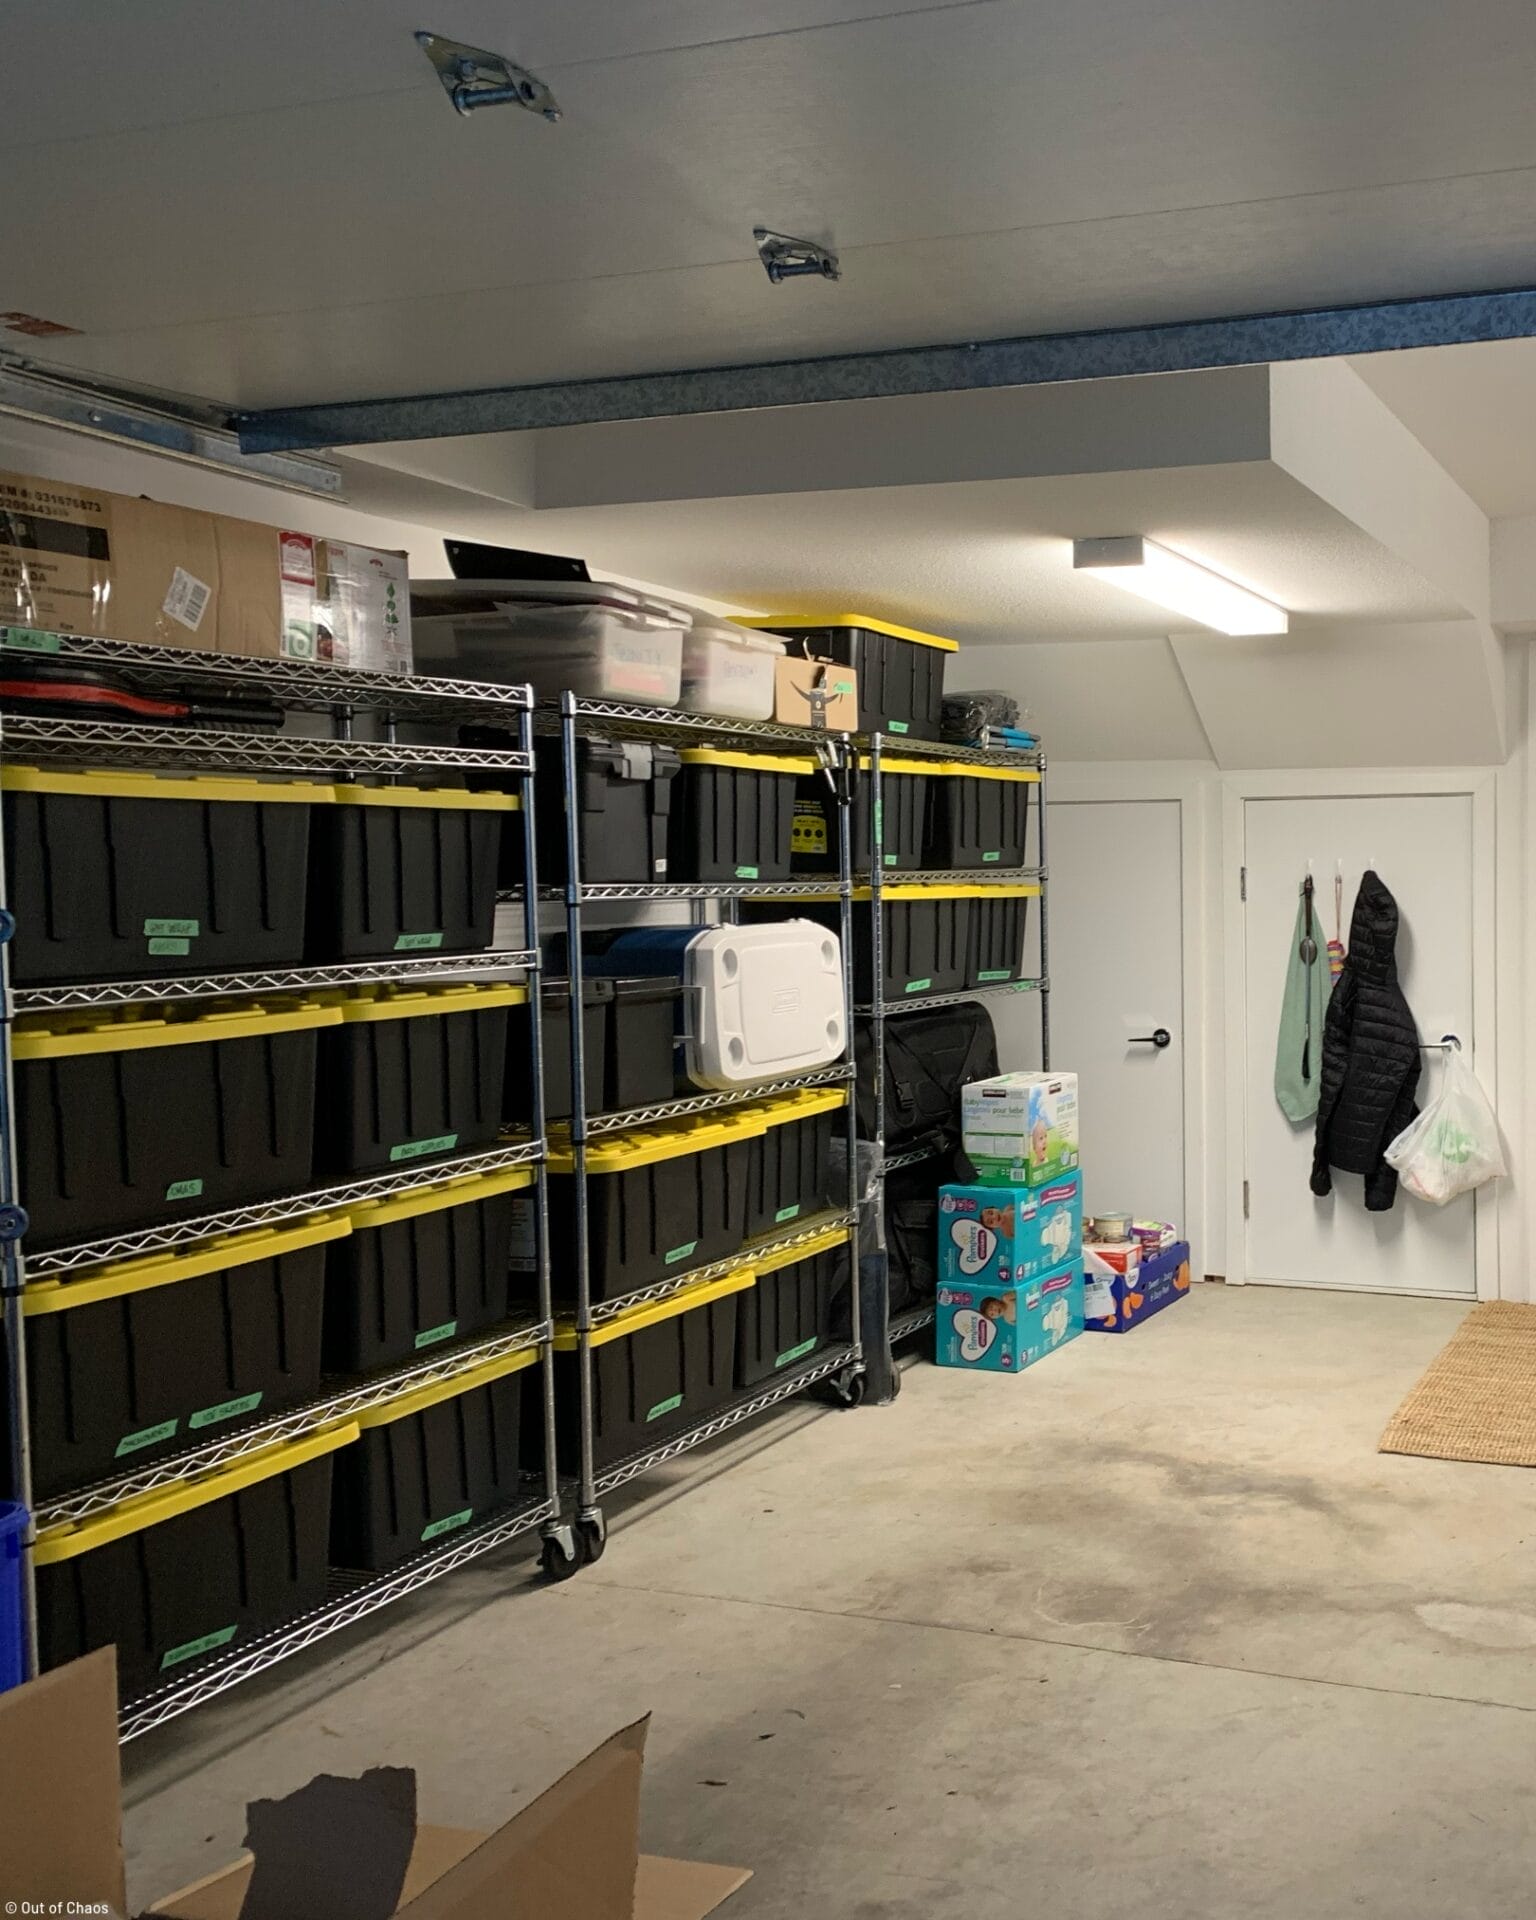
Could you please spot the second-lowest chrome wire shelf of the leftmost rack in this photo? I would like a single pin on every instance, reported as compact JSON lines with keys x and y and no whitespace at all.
{"x":341,"y":1404}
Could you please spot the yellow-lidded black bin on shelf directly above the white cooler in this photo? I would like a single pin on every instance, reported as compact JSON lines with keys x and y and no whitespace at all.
{"x":732,"y":815}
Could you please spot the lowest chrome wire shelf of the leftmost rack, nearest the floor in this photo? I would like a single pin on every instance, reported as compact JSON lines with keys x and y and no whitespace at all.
{"x":354,"y":1598}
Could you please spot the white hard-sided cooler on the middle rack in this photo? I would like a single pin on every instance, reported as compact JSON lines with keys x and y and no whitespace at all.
{"x":769,"y":1003}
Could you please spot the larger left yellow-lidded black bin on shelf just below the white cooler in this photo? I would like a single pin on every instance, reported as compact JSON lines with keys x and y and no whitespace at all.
{"x":660,"y":1201}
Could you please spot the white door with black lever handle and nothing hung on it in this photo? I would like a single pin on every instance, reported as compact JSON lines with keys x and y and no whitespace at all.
{"x":1118,"y":976}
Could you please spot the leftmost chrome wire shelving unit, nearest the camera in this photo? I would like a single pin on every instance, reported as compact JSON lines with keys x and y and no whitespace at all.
{"x":279,"y":690}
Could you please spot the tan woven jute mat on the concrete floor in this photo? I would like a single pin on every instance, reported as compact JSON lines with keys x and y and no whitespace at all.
{"x":1479,"y":1395}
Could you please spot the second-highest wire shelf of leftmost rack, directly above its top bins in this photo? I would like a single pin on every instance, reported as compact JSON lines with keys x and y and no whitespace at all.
{"x":231,"y":752}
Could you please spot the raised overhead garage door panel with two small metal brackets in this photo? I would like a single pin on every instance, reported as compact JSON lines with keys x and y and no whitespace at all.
{"x":277,"y":204}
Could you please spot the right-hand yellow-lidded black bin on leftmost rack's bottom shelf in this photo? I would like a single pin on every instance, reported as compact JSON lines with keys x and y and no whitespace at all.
{"x":429,"y":1466}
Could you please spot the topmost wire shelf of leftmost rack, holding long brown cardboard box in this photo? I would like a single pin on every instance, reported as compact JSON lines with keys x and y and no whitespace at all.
{"x":306,"y":684}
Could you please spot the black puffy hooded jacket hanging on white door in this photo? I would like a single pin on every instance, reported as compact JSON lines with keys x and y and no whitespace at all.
{"x":1370,"y":1055}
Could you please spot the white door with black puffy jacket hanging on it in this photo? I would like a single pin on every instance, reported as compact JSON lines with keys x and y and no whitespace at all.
{"x":1422,"y":846}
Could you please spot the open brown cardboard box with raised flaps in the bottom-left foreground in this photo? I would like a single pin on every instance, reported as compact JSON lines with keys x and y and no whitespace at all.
{"x":347,"y":1848}
